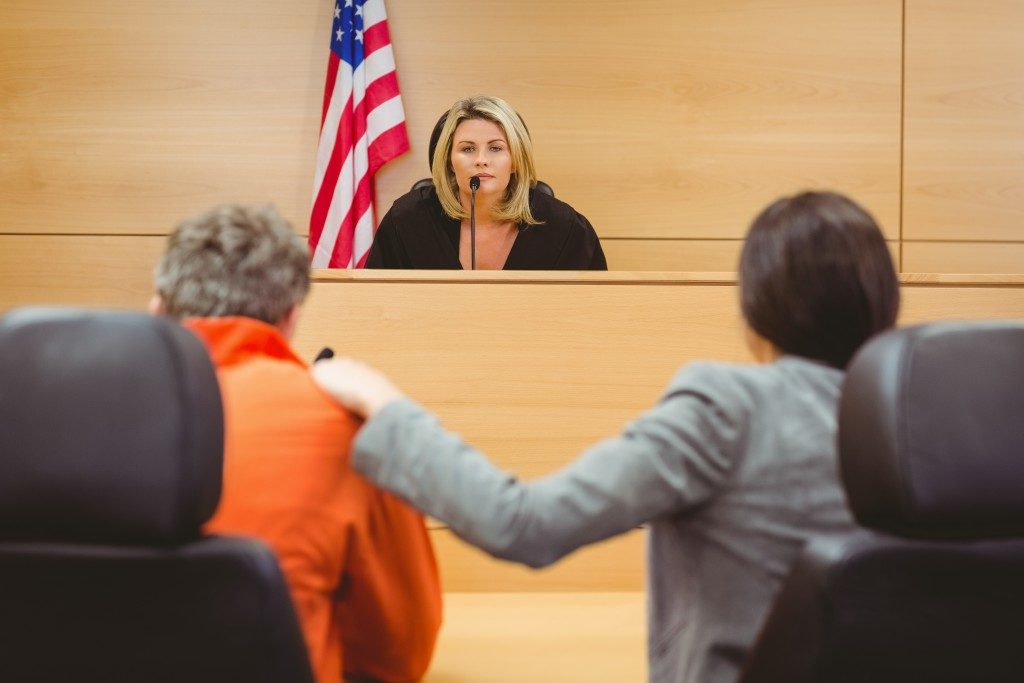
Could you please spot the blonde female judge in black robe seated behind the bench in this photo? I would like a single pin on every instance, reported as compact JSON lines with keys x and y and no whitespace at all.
{"x":484,"y":209}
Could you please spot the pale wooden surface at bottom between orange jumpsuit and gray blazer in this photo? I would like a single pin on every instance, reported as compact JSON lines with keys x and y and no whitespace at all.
{"x":566,"y":637}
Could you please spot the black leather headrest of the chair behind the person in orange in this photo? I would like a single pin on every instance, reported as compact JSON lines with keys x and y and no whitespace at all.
{"x":112,"y":429}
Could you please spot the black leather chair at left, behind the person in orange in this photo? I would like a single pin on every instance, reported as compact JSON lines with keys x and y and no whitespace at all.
{"x":111,"y":458}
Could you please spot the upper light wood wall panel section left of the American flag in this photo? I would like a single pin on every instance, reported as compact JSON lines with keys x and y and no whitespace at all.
{"x":123,"y":117}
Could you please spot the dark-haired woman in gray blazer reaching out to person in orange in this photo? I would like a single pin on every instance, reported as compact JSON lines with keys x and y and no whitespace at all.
{"x":733,"y":469}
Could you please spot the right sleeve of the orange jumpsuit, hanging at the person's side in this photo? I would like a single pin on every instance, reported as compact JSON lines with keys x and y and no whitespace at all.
{"x":391,"y":608}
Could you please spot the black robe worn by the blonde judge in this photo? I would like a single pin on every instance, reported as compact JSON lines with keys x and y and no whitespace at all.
{"x":417,"y":234}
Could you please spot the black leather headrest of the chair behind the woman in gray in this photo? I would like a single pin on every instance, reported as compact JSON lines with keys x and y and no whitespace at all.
{"x":931,"y":432}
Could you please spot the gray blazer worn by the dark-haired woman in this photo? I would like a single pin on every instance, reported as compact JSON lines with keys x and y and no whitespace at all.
{"x":733,"y":471}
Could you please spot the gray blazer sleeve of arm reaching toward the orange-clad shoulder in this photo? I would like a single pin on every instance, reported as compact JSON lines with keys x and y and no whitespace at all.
{"x":674,"y":458}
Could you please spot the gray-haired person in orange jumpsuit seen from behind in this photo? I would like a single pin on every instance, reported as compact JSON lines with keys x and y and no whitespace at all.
{"x":359,"y":562}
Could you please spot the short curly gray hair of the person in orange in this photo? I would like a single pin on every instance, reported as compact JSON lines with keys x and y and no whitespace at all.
{"x":234,"y":261}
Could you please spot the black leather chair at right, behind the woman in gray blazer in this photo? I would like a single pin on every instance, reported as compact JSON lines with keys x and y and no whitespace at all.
{"x":932,"y":458}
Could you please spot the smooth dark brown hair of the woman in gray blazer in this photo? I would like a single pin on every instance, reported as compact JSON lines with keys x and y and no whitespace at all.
{"x":817,"y":278}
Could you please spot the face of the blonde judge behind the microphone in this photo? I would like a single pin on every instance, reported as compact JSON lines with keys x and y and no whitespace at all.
{"x":480,"y":148}
